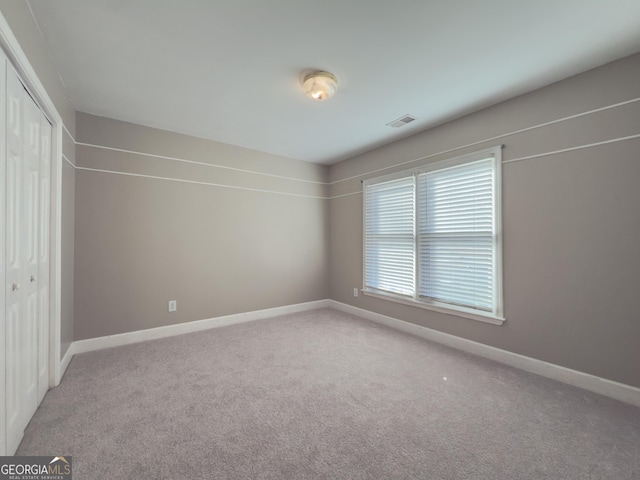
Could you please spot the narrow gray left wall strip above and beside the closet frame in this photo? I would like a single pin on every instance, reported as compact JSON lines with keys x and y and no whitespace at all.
{"x":20,"y":20}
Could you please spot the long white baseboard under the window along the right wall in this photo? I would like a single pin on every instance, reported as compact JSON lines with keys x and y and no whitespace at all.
{"x":592,"y":383}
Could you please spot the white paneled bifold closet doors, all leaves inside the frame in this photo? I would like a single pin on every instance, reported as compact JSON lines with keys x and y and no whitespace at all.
{"x":25,"y":206}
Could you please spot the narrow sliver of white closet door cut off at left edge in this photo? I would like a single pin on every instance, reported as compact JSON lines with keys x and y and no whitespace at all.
{"x":3,"y":164}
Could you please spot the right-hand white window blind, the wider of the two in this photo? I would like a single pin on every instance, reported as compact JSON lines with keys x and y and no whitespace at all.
{"x":456,"y":235}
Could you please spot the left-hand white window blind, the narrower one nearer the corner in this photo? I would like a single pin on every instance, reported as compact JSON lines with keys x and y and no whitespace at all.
{"x":390,"y":236}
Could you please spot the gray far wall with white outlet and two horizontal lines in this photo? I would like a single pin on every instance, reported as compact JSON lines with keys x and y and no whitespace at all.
{"x":221,"y":229}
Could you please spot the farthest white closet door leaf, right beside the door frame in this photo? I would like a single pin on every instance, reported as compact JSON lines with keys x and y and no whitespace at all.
{"x":43,"y":257}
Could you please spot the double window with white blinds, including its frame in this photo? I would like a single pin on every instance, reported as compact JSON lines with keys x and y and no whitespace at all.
{"x":432,"y":236}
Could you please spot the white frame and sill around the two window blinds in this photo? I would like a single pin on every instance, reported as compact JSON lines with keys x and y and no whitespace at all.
{"x":494,"y":317}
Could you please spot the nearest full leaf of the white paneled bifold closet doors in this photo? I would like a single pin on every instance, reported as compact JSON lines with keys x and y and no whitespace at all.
{"x":14,"y":381}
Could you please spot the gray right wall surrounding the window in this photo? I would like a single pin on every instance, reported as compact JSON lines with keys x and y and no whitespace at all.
{"x":571,"y":222}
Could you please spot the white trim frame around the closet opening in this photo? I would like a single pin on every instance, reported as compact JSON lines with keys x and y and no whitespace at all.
{"x":27,"y":74}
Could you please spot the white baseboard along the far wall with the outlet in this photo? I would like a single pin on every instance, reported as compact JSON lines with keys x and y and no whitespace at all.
{"x":82,"y":346}
